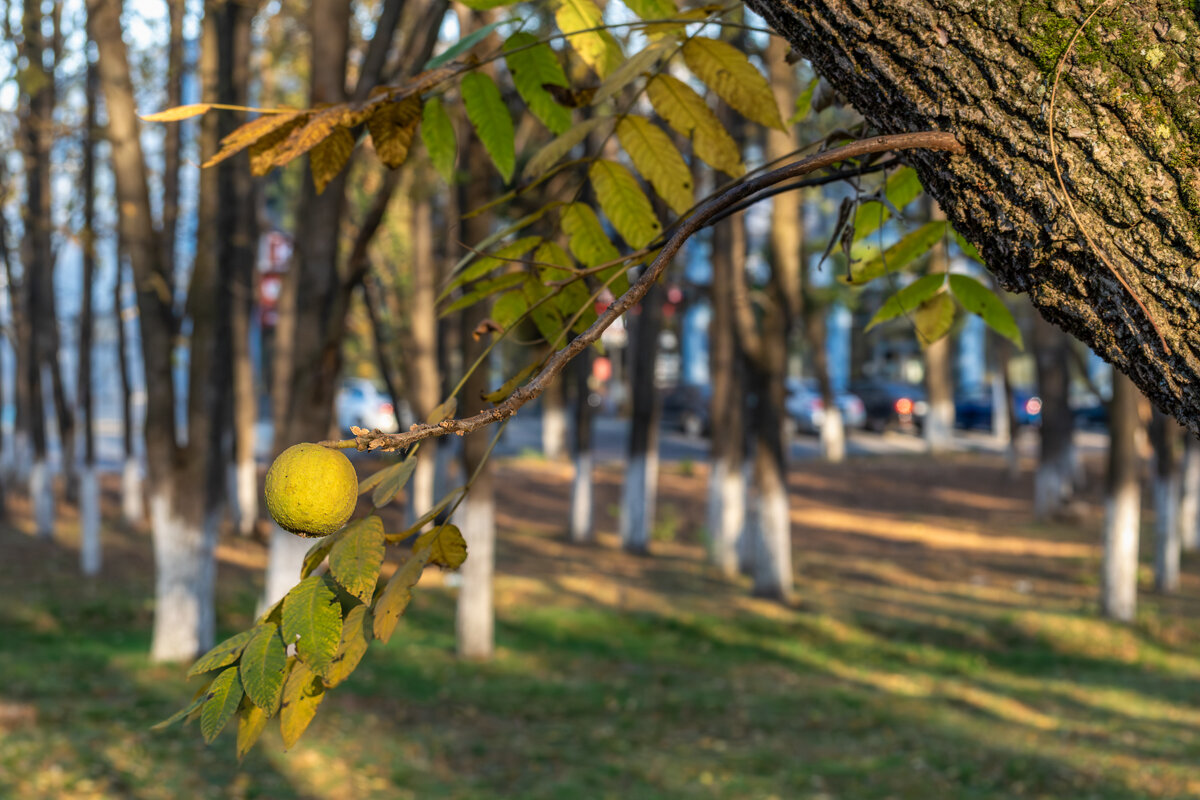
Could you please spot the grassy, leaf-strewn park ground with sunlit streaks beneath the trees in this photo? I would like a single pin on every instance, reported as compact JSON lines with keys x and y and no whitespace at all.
{"x":941,"y":646}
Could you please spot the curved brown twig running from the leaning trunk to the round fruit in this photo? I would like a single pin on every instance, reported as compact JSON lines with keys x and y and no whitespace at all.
{"x":698,"y":221}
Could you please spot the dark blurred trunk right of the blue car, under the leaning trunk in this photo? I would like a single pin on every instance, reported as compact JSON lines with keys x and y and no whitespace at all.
{"x":1054,"y":486}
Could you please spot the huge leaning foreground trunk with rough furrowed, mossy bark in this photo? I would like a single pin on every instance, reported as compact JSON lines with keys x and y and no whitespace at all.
{"x":1125,"y":129}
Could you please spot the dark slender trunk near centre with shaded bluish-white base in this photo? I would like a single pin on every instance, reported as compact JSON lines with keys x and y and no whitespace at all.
{"x":640,"y":489}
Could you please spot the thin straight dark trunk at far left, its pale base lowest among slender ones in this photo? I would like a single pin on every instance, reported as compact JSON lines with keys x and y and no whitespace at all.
{"x":89,"y":489}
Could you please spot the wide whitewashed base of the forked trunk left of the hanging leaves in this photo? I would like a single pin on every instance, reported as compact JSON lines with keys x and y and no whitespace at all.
{"x":185,"y":573}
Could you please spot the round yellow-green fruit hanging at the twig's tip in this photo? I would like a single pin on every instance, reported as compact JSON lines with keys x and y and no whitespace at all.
{"x":311,"y":491}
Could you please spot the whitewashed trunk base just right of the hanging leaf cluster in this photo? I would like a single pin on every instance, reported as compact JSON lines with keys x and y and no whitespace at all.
{"x":476,"y":616}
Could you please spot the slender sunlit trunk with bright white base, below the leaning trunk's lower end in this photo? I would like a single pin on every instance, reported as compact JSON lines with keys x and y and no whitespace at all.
{"x":1119,"y":569}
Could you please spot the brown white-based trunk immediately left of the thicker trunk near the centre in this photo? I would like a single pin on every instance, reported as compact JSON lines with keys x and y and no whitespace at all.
{"x":727,"y":483}
